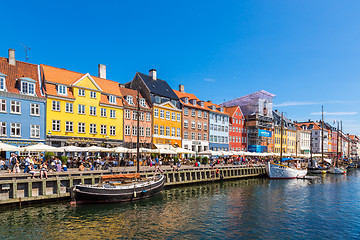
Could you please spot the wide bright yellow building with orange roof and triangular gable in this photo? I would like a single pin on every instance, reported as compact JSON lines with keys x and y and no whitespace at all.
{"x":82,"y":110}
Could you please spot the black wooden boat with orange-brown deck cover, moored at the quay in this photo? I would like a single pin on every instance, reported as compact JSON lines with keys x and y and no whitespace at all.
{"x":118,"y":188}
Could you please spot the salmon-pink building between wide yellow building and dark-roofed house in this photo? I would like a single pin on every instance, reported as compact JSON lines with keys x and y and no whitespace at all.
{"x":130,"y":104}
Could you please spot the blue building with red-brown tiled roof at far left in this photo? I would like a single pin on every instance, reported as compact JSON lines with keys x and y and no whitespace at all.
{"x":22,"y":103}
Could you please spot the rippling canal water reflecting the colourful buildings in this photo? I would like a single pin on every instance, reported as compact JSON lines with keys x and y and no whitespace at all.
{"x":326,"y":208}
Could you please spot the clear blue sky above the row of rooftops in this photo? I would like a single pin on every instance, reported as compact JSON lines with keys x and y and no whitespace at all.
{"x":307,"y":53}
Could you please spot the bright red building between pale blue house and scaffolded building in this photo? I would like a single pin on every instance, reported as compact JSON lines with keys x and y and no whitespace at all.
{"x":237,"y":131}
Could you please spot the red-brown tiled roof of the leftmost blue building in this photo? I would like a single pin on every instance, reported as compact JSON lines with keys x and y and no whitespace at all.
{"x":17,"y":71}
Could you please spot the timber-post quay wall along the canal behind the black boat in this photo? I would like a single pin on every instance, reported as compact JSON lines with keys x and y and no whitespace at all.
{"x":20,"y":188}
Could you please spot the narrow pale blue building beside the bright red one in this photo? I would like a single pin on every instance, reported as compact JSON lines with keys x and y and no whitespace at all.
{"x":218,"y":127}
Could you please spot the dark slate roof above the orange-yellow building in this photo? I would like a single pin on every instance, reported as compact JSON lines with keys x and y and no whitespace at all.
{"x":158,"y":86}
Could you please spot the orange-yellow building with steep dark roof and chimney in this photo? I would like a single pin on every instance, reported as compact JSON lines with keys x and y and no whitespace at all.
{"x":165,"y":105}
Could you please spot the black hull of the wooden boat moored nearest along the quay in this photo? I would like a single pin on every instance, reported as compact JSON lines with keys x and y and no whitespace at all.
{"x":87,"y":194}
